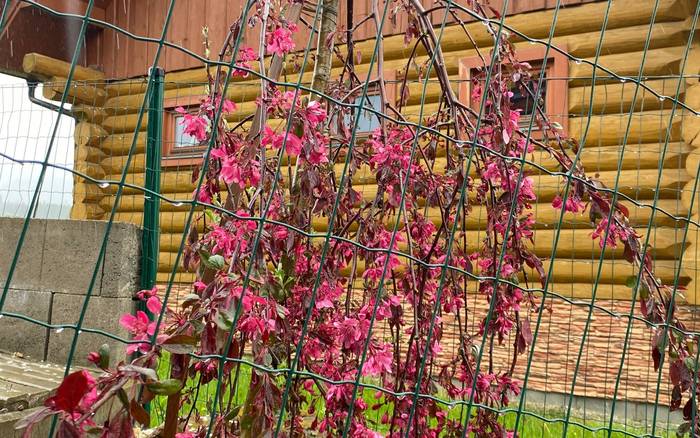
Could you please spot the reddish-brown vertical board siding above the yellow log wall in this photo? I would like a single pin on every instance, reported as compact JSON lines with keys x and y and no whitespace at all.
{"x":123,"y":57}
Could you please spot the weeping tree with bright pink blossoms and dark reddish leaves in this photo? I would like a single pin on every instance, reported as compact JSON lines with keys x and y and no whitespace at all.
{"x":326,"y":292}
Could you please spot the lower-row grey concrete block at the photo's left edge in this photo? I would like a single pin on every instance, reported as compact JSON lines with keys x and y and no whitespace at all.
{"x":17,"y":335}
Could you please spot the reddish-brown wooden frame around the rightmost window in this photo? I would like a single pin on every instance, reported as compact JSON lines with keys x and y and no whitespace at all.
{"x":557,"y":86}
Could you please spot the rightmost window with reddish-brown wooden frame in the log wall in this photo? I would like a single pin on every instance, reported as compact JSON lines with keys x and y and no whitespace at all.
{"x":553,"y":94}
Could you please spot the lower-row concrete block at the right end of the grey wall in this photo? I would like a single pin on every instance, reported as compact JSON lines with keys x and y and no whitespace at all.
{"x":102,"y":313}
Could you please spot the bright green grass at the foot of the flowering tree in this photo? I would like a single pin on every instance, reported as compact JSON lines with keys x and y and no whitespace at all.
{"x":530,"y":424}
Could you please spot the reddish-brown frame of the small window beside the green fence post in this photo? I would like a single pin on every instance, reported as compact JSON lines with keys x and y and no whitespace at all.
{"x":170,"y":156}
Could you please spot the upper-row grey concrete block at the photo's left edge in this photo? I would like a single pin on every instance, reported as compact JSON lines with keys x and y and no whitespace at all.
{"x":27,"y":271}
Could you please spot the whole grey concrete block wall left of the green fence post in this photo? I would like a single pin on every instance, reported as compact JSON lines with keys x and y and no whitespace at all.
{"x":52,"y":277}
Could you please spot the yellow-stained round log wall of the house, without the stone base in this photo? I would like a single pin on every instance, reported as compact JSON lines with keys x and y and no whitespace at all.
{"x":578,"y":29}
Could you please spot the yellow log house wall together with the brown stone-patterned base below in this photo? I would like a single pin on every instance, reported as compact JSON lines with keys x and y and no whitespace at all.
{"x":109,"y":115}
